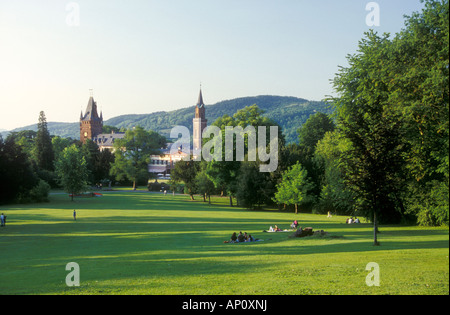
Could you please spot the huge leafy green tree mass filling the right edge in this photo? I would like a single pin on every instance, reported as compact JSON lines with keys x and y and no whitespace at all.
{"x":392,"y":106}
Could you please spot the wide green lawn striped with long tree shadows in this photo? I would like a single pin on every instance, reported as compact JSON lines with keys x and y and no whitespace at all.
{"x":146,"y":243}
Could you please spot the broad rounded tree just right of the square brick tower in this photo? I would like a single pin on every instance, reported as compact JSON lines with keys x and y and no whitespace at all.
{"x":132,"y":154}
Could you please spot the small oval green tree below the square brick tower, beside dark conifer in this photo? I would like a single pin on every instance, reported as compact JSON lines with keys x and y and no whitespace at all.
{"x":72,"y":170}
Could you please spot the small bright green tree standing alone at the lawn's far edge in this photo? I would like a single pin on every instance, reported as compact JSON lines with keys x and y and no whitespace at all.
{"x":294,"y":188}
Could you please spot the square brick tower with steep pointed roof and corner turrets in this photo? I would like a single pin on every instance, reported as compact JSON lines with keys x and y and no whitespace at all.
{"x":91,"y":124}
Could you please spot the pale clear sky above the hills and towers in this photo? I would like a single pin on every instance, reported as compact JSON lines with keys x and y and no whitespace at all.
{"x":145,"y":56}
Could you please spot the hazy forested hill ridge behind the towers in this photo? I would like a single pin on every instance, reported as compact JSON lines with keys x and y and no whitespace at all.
{"x":289,"y":112}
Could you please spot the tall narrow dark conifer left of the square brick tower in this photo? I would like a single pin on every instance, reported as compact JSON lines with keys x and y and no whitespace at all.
{"x":45,"y":156}
